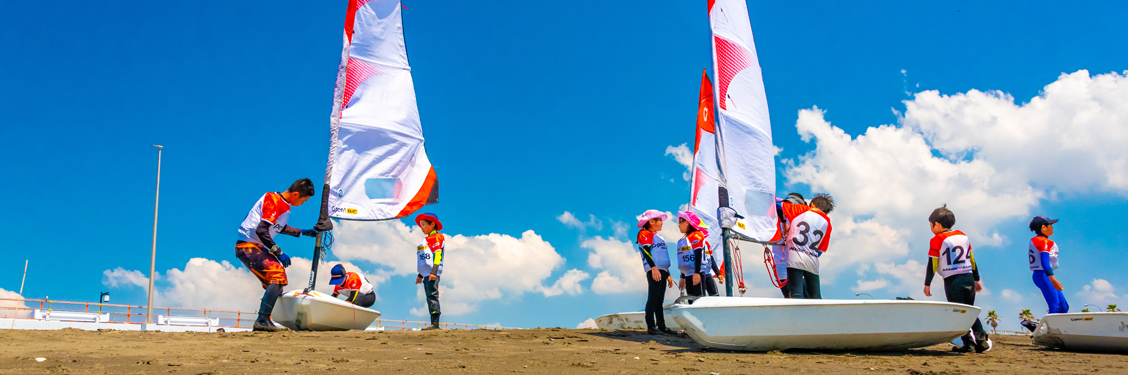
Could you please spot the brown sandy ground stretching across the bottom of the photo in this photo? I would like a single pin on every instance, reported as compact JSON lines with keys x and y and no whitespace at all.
{"x":534,"y":352}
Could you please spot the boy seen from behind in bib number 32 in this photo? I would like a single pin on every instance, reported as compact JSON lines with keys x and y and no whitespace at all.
{"x":807,"y":240}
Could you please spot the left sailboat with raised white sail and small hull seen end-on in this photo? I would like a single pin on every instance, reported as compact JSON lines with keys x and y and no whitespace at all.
{"x":378,"y":168}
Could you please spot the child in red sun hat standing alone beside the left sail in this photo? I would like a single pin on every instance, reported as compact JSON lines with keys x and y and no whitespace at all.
{"x":430,"y":256}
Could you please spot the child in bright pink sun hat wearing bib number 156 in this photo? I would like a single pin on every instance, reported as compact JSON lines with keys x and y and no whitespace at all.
{"x":692,"y":250}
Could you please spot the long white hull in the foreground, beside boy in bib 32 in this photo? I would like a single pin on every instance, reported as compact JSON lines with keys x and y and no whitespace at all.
{"x":763,"y":325}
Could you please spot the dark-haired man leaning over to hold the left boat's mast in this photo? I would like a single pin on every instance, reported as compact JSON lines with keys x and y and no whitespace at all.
{"x":259,"y":252}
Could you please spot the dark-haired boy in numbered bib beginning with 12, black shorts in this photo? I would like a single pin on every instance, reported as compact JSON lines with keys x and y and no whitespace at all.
{"x":950,"y":256}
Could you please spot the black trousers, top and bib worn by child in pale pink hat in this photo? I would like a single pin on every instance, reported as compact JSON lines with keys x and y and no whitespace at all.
{"x":655,"y":255}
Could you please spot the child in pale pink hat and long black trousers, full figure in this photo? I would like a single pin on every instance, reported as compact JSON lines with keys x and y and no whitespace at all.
{"x":656,"y":261}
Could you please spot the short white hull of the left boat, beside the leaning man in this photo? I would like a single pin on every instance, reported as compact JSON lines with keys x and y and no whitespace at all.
{"x":320,"y":312}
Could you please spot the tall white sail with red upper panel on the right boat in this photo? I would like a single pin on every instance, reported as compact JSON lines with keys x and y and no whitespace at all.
{"x":745,"y":152}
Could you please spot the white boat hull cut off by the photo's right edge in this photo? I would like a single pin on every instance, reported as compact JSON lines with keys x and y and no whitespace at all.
{"x":1085,"y":333}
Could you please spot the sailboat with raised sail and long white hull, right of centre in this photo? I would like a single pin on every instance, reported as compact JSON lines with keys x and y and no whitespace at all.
{"x":734,"y":188}
